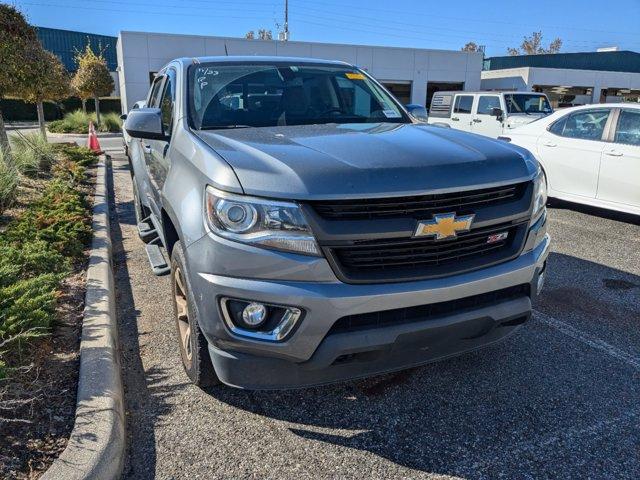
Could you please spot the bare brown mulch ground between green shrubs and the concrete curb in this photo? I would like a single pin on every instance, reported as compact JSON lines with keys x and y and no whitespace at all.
{"x":37,"y":405}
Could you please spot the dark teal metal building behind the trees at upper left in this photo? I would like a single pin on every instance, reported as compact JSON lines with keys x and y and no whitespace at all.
{"x":65,"y":44}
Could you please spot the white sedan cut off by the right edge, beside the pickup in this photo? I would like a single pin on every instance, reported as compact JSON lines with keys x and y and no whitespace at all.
{"x":590,"y":154}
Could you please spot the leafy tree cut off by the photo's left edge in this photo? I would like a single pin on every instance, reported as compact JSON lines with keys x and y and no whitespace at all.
{"x":16,"y":35}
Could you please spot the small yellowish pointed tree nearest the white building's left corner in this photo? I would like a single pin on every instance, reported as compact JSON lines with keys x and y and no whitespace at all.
{"x":92,"y":79}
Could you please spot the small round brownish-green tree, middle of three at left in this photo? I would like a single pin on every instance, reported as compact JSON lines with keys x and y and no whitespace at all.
{"x":49,"y":81}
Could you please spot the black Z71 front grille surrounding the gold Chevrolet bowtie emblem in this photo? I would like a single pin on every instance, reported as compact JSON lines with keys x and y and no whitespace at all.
{"x":372,"y":240}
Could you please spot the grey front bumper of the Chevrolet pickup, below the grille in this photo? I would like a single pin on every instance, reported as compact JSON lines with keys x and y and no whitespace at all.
{"x":310,"y":356}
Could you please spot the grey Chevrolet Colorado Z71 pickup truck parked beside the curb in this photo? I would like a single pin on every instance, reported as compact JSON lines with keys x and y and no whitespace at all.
{"x":314,"y":232}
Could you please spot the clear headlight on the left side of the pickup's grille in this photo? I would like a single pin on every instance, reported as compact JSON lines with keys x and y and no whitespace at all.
{"x":260,"y":222}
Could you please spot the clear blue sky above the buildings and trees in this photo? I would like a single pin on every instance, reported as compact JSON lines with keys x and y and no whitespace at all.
{"x":583,"y":25}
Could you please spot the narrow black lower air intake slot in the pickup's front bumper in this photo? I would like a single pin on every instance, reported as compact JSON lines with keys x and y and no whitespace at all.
{"x":398,"y":316}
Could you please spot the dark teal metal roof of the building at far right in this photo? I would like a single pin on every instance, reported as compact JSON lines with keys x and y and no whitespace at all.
{"x":618,"y":61}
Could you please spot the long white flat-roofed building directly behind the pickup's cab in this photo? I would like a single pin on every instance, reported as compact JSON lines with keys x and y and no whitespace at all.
{"x":411,"y":74}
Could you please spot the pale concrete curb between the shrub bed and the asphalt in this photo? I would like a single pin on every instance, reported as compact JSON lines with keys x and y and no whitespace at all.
{"x":96,"y":447}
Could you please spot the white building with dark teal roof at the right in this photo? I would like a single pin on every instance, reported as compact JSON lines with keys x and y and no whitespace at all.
{"x":568,"y":78}
